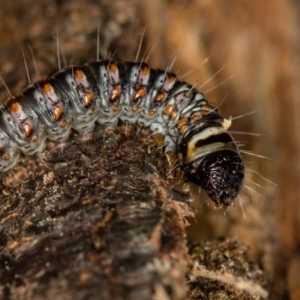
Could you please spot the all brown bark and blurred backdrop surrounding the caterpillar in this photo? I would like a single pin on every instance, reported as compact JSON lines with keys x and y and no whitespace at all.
{"x":100,"y":217}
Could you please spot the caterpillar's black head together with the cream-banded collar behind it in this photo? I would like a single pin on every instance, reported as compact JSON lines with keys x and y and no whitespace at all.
{"x":212,"y":161}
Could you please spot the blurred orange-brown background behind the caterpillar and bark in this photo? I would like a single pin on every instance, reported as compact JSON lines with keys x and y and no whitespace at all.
{"x":243,"y":54}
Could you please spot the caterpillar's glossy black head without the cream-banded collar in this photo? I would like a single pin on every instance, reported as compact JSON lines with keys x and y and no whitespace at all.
{"x":220,"y":174}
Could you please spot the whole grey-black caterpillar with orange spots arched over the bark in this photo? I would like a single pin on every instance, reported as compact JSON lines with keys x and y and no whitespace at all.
{"x":105,"y":91}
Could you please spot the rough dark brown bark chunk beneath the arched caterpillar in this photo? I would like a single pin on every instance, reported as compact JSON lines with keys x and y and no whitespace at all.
{"x":93,"y":220}
